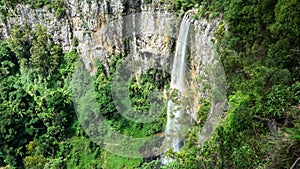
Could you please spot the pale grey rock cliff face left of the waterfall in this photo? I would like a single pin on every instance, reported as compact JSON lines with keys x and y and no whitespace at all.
{"x":98,"y":25}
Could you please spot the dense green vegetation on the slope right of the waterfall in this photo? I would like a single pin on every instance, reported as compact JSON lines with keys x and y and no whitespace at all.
{"x":260,"y":53}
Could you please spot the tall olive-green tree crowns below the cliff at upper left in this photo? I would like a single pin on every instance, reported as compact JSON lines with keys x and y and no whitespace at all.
{"x":34,"y":49}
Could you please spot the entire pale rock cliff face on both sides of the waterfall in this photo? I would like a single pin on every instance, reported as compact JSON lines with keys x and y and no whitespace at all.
{"x":141,"y":30}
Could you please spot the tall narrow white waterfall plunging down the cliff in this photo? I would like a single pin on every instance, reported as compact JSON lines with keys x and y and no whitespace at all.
{"x":175,"y":107}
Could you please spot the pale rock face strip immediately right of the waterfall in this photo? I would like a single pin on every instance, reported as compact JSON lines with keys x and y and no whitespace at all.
{"x":203,"y":60}
